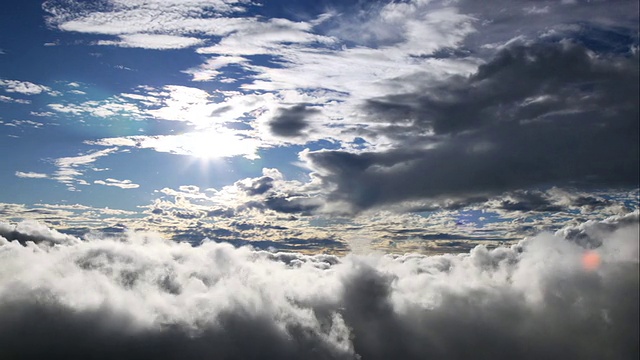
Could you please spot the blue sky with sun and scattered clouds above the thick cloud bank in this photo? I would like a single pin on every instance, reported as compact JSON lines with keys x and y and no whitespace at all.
{"x":414,"y":125}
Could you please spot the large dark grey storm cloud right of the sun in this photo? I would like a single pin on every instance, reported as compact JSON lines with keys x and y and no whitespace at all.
{"x":534,"y":115}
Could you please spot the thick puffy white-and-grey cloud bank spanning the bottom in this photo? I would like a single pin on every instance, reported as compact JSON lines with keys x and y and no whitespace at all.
{"x":138,"y":296}
